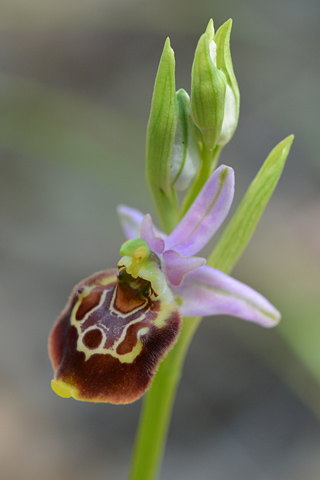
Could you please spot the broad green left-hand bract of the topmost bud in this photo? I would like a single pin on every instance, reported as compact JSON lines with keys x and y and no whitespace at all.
{"x":208,"y":90}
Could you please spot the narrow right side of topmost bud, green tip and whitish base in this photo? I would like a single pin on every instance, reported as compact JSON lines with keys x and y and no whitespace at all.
{"x":232,"y":98}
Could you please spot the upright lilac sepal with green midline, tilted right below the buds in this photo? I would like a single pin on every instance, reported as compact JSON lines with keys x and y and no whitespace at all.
{"x":205,"y":215}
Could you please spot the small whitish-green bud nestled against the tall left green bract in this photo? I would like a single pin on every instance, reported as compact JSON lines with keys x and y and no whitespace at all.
{"x":186,"y":158}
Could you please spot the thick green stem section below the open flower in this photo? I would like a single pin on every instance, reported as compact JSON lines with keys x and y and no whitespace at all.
{"x":157,"y":408}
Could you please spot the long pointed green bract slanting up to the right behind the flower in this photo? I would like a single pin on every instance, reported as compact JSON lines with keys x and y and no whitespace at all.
{"x":242,"y":225}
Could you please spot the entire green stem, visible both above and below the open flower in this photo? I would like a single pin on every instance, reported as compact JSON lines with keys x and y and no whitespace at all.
{"x":158,"y":403}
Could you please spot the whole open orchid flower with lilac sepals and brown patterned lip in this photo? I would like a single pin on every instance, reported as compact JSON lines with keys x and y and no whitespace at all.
{"x":118,"y":324}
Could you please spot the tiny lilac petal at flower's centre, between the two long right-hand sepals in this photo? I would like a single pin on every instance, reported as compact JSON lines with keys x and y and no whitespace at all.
{"x":177,"y":266}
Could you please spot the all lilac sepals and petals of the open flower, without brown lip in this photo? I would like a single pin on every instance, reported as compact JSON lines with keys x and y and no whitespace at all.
{"x":201,"y":290}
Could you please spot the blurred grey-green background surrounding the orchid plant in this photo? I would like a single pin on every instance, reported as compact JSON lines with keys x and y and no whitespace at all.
{"x":76,"y":81}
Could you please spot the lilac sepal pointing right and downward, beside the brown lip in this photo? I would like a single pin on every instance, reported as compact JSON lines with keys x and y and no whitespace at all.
{"x":208,"y":291}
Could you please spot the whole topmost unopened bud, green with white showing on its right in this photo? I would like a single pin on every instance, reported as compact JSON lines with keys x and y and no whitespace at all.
{"x":214,"y":89}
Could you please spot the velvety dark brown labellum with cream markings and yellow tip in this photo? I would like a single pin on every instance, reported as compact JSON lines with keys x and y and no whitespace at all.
{"x":108,"y":341}
